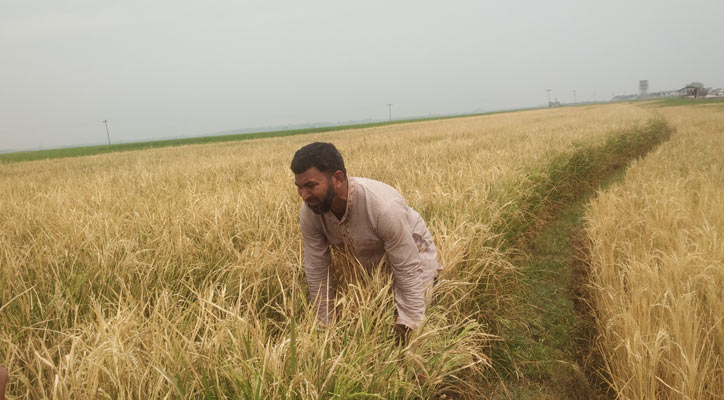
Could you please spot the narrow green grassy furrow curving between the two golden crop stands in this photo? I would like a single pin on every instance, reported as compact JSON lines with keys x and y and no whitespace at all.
{"x":545,"y":352}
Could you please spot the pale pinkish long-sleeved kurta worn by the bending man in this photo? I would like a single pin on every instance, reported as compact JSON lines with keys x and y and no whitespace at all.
{"x":377,"y":221}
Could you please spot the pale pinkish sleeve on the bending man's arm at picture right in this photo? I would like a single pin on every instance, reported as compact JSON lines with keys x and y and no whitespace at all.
{"x":402,"y":253}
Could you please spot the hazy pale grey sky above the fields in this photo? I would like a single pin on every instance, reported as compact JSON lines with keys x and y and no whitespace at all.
{"x":158,"y":69}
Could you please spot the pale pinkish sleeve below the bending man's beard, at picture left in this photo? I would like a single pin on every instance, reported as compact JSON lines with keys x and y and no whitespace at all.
{"x":317,"y":265}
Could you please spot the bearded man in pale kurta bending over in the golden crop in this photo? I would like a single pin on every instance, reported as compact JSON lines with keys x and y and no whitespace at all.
{"x":369,"y":218}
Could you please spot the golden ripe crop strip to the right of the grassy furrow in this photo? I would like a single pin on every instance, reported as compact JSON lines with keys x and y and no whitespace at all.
{"x":658,"y":265}
